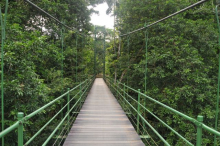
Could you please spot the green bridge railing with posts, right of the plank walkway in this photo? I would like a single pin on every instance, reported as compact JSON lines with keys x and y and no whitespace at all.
{"x":122,"y":94}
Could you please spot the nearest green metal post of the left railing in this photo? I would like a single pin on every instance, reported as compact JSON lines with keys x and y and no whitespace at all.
{"x":20,"y":129}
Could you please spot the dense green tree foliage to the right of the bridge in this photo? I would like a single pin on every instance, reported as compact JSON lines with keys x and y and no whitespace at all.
{"x":182,"y":61}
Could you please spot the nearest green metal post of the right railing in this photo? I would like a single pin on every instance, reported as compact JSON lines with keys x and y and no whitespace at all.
{"x":199,"y":131}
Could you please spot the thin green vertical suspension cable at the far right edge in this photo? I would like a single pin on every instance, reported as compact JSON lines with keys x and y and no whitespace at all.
{"x":217,"y":103}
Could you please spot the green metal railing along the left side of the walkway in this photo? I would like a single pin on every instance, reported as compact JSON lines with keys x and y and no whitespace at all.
{"x":80,"y":90}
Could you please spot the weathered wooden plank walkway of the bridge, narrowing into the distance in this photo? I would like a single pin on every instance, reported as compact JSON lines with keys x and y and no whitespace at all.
{"x":102,"y":122}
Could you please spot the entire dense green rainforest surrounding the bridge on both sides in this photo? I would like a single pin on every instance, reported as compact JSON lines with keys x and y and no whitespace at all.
{"x":181,"y":67}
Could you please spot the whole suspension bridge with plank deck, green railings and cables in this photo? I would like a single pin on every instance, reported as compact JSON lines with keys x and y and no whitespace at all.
{"x":101,"y":111}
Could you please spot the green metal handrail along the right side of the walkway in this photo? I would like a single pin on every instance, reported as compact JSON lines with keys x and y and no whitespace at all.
{"x":197,"y":122}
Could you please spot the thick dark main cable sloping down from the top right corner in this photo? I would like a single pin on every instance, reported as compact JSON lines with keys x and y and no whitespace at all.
{"x":176,"y":13}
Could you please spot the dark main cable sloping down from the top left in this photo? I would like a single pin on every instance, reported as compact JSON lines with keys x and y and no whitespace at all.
{"x":40,"y":9}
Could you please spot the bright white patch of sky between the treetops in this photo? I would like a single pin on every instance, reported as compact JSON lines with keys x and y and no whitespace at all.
{"x":102,"y":19}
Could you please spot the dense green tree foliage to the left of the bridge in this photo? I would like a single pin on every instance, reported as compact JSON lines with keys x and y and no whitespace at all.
{"x":33,"y":74}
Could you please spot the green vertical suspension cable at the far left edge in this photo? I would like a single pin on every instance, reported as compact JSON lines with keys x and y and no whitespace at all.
{"x":3,"y":26}
